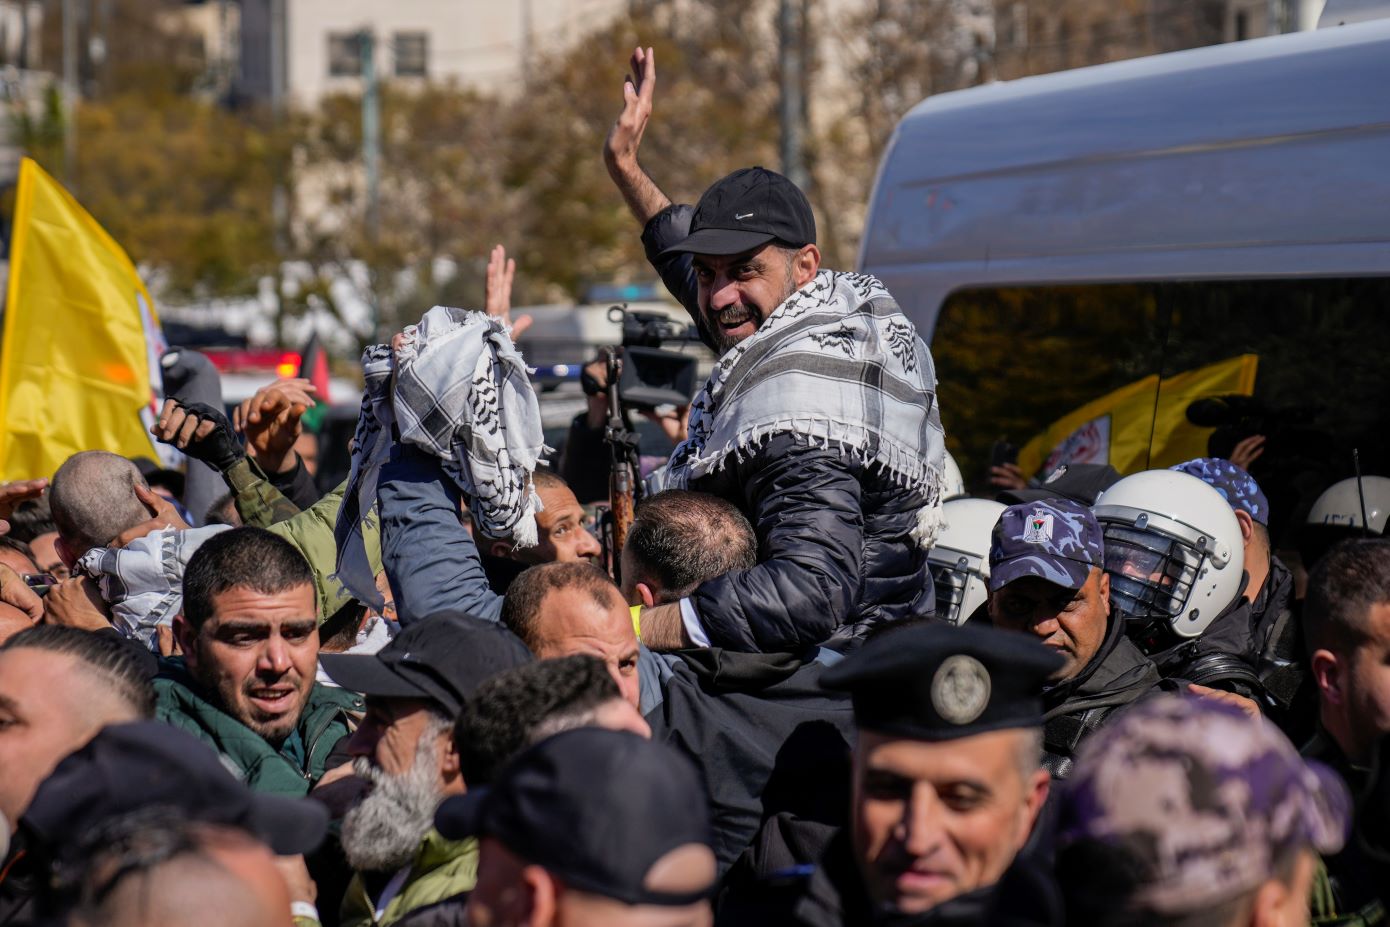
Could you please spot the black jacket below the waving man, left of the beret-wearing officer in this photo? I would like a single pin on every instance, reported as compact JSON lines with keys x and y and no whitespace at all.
{"x":768,"y":740}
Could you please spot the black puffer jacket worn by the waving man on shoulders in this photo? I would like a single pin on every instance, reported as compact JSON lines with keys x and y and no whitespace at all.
{"x":835,"y":548}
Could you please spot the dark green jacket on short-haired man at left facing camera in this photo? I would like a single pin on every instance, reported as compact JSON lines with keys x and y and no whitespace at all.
{"x":184,"y":704}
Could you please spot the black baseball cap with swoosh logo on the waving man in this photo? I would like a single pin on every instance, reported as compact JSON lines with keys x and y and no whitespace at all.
{"x":749,"y":209}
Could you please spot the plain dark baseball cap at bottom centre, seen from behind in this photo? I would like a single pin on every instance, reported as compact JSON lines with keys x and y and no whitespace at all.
{"x":596,"y":808}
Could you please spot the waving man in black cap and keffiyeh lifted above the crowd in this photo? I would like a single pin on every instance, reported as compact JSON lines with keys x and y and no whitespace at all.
{"x":821,"y":420}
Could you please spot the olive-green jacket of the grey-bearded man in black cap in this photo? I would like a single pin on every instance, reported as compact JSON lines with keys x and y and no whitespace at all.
{"x":441,"y":872}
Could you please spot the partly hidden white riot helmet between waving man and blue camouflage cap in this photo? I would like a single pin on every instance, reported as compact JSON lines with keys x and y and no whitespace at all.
{"x":960,"y":561}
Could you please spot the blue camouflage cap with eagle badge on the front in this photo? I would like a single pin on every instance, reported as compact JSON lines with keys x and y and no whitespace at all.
{"x":1057,"y":540}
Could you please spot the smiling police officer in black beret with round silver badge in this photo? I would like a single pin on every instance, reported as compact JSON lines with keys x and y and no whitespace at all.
{"x":946,"y":790}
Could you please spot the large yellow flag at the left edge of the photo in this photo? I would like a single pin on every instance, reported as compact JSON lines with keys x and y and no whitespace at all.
{"x":80,"y":359}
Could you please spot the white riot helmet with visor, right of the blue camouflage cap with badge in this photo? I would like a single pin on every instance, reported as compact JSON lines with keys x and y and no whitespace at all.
{"x":1174,"y":551}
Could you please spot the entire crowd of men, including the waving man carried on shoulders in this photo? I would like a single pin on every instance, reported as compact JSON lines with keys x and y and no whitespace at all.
{"x":817,"y":686}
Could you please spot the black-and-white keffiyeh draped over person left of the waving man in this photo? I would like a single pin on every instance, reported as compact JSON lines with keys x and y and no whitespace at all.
{"x":462,"y":394}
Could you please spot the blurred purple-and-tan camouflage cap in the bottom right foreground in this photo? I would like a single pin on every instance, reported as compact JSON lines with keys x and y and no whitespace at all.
{"x":1203,"y":803}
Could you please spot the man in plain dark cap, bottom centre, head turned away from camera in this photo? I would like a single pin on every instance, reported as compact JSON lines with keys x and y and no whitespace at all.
{"x":590,"y":829}
